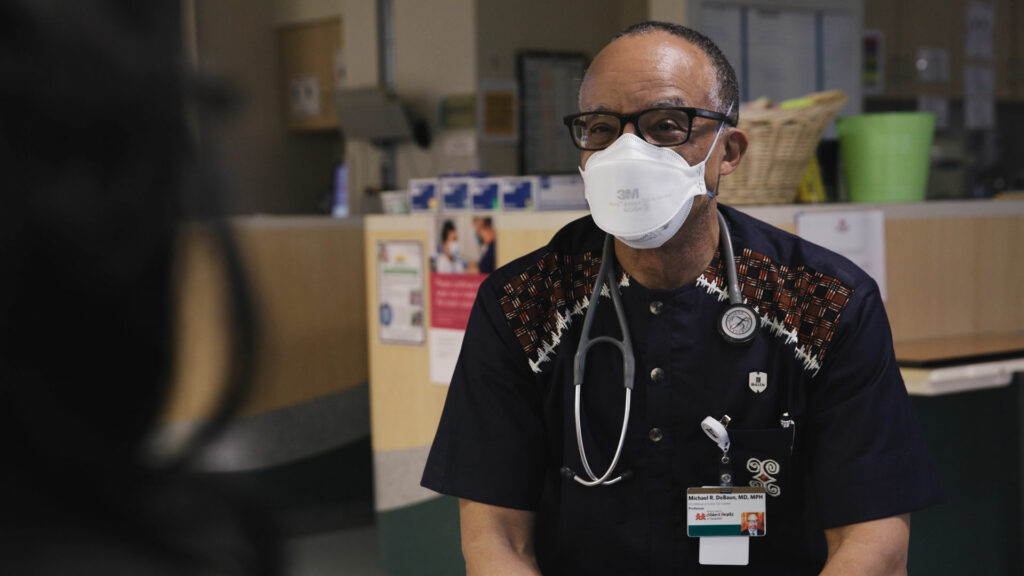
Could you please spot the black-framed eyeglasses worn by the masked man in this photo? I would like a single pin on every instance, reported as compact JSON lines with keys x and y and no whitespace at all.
{"x":660,"y":127}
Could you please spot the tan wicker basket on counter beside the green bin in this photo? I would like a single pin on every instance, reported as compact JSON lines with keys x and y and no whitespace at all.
{"x":783,"y":143}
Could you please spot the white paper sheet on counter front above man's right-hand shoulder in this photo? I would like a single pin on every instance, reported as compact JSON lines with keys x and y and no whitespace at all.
{"x":861,"y":236}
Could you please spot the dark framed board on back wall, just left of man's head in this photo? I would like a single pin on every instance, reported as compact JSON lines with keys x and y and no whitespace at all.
{"x":549,"y":85}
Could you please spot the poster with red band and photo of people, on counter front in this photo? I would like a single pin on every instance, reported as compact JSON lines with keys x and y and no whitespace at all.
{"x":463,"y":257}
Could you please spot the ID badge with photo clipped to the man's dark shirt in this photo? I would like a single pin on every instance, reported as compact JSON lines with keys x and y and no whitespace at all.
{"x":726,"y":519}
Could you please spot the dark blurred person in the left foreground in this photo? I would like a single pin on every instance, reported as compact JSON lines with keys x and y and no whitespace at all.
{"x":98,"y":154}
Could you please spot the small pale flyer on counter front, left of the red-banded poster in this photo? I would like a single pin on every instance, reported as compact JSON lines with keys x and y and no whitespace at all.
{"x":400,"y":293}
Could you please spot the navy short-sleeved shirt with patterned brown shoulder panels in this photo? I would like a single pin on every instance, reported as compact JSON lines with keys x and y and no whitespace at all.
{"x":824,"y":351}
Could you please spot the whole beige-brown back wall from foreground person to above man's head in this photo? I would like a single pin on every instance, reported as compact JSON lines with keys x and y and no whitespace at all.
{"x":443,"y":48}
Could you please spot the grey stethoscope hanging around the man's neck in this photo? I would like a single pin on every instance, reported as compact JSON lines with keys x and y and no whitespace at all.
{"x":738,"y":324}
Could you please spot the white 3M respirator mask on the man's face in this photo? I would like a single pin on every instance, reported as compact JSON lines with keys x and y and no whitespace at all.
{"x":641,"y":193}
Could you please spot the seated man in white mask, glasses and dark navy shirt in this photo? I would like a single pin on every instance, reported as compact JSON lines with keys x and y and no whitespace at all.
{"x":801,"y":382}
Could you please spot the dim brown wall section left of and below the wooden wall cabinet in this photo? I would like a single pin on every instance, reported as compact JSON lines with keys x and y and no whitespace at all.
{"x":265,"y":169}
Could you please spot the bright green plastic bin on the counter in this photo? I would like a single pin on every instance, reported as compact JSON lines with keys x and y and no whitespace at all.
{"x":887,"y":156}
